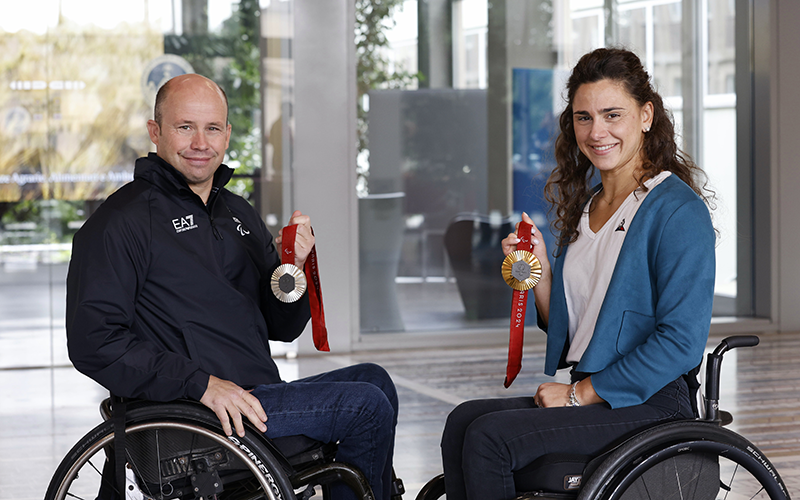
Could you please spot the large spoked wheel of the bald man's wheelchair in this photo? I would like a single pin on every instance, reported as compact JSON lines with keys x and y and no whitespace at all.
{"x":173,"y":451}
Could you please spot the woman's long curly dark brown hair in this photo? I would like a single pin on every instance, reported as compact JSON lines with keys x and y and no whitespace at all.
{"x":568,"y":189}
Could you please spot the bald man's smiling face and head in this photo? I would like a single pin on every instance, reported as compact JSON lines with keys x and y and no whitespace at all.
{"x":194,"y":134}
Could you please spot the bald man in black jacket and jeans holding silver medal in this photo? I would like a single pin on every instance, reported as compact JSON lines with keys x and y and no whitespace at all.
{"x":168,"y":297}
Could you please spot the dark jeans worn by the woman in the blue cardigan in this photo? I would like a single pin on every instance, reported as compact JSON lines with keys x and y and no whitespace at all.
{"x":484,"y":441}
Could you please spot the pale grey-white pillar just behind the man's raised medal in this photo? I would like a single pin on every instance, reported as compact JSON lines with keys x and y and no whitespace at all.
{"x":324,"y":156}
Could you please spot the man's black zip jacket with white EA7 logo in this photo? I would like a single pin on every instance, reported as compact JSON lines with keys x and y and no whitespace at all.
{"x":163,"y":291}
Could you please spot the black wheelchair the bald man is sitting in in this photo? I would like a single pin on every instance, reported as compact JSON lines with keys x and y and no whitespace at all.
{"x":177,"y":450}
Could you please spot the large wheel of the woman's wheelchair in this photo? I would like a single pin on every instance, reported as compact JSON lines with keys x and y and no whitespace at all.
{"x":685,"y":460}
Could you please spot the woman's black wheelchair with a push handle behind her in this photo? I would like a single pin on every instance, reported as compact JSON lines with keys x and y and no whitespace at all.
{"x":613,"y":472}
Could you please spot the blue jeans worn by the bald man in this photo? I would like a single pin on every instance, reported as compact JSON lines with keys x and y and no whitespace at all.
{"x":355,"y":406}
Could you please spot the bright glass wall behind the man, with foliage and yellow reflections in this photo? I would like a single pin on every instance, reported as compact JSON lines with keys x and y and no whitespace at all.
{"x":77,"y":86}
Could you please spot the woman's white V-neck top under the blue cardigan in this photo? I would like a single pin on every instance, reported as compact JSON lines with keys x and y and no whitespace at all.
{"x":589,"y":264}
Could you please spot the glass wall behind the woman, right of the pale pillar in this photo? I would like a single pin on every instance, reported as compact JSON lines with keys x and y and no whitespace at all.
{"x":466,"y":156}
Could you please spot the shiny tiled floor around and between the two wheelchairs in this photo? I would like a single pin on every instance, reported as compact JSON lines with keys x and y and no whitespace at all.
{"x":43,"y":411}
